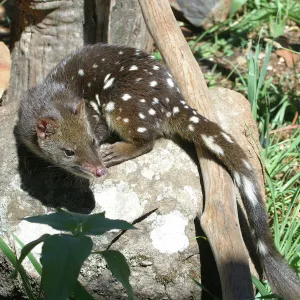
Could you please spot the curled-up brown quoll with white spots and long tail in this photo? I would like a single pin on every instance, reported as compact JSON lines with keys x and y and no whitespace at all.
{"x":101,"y":89}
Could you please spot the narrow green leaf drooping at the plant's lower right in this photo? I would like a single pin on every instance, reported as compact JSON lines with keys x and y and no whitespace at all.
{"x":119,"y":268}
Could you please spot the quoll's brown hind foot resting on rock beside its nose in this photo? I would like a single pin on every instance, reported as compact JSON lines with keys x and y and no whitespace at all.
{"x":113,"y":154}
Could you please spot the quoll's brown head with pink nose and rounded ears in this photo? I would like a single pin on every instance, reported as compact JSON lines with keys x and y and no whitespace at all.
{"x":70,"y":143}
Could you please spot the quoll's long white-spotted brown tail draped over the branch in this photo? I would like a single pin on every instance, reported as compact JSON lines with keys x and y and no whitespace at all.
{"x":199,"y":130}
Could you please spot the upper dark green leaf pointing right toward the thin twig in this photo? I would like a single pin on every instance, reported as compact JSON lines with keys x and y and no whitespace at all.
{"x":97,"y":224}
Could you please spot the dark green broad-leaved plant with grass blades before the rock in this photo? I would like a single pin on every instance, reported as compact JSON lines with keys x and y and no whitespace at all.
{"x":64,"y":254}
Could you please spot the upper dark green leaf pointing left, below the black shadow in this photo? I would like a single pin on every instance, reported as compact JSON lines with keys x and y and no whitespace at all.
{"x":60,"y":220}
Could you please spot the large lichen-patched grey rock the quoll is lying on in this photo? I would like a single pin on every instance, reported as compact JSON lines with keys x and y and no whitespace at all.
{"x":163,"y":252}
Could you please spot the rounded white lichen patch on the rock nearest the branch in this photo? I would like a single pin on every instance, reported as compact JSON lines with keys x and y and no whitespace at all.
{"x":168,"y":234}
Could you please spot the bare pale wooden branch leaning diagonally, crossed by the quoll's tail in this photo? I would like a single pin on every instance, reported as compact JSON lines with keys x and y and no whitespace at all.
{"x":219,"y":219}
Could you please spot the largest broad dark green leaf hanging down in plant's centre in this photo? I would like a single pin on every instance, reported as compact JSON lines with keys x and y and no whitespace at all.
{"x":62,"y":258}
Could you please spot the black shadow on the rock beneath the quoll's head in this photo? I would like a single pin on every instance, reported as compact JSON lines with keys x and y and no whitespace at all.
{"x":51,"y":185}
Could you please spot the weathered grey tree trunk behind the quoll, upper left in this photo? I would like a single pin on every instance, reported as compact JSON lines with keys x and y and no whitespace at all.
{"x":43,"y":33}
